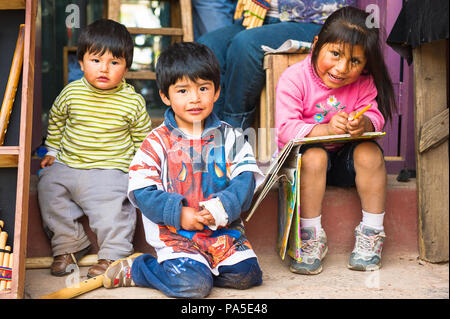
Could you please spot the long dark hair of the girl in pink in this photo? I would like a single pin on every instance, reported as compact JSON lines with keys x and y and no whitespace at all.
{"x":348,"y":25}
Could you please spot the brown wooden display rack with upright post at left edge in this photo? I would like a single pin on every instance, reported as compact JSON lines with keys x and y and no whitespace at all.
{"x":15,"y":155}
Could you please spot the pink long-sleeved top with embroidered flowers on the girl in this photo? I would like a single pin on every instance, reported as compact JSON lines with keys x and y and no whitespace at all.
{"x":303,"y":101}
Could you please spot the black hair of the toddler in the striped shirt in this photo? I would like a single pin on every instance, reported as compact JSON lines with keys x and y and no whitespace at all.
{"x":106,"y":35}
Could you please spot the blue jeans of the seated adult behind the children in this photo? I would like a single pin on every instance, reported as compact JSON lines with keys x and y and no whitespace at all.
{"x":241,"y":61}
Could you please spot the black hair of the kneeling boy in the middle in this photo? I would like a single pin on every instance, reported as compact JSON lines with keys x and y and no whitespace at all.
{"x":186,"y":59}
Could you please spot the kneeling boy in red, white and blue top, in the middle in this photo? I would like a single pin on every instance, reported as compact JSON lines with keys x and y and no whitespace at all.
{"x":191,"y":179}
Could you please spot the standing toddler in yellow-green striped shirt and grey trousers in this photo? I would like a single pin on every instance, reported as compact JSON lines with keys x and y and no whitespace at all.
{"x":96,"y":125}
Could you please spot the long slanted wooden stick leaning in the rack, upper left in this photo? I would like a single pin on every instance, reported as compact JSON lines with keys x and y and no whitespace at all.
{"x":11,"y":86}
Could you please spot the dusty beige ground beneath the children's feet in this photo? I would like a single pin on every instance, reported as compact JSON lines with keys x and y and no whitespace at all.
{"x":403,"y":276}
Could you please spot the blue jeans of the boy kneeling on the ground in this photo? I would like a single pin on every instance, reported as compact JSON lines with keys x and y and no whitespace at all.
{"x":187,"y":278}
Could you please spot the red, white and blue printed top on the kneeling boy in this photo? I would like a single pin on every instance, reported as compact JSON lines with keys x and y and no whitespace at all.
{"x":191,"y":170}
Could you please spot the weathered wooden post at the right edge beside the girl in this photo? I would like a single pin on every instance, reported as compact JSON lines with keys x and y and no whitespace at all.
{"x":432,"y":153}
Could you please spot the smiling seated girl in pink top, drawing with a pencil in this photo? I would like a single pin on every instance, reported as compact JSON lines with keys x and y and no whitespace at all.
{"x":319,"y":96}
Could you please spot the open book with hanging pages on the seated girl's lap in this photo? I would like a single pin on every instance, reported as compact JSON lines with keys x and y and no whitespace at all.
{"x":285,"y":170}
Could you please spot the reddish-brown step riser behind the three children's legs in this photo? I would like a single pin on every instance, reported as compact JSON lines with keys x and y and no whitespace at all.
{"x":341,"y":214}
